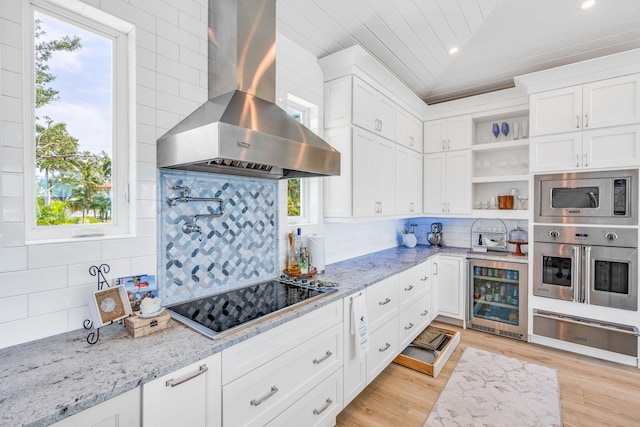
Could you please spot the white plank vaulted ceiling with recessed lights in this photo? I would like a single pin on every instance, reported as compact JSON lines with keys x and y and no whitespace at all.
{"x":498,"y":39}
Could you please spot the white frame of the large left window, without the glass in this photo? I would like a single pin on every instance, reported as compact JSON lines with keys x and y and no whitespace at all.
{"x":122,"y":35}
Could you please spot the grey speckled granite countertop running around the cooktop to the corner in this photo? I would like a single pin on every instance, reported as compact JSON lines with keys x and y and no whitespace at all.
{"x":44,"y":381}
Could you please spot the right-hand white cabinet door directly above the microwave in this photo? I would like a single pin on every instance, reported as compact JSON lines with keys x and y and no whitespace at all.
{"x":611,"y":147}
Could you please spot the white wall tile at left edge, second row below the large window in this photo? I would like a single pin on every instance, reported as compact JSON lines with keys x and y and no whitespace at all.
{"x":25,"y":281}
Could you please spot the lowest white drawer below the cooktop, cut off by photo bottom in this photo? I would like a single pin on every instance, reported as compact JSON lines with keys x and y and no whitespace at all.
{"x":319,"y":407}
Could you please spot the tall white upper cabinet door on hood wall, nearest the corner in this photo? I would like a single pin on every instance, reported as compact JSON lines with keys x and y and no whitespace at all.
{"x":408,"y":181}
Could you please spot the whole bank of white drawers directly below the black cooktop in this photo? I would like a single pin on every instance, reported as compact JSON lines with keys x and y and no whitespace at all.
{"x":267,"y":375}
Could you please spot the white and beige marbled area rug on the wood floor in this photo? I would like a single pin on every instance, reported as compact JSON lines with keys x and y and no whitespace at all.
{"x":487,"y":389}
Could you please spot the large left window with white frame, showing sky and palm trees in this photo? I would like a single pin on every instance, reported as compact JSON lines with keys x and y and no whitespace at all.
{"x":77,"y":162}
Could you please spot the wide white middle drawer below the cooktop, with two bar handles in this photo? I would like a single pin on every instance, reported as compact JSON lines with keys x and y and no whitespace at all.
{"x":263,"y":393}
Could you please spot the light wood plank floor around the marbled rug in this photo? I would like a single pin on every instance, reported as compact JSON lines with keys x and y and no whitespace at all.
{"x":593,"y":392}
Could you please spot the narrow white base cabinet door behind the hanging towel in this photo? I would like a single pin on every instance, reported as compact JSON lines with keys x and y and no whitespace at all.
{"x":355,"y":373}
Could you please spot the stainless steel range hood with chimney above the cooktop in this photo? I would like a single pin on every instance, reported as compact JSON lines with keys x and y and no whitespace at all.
{"x":241,"y":130}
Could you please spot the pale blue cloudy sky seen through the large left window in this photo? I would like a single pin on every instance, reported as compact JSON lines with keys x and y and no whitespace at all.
{"x":84,"y":82}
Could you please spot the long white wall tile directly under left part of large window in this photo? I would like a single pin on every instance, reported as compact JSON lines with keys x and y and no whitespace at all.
{"x":51,"y":255}
